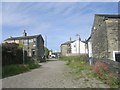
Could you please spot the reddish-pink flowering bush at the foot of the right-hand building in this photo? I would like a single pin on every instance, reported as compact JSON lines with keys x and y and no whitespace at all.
{"x":102,"y":72}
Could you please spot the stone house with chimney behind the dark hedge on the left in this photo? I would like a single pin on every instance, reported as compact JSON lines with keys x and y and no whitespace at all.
{"x":34,"y":45}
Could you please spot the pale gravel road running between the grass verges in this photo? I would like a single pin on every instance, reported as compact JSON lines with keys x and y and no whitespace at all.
{"x":52,"y":74}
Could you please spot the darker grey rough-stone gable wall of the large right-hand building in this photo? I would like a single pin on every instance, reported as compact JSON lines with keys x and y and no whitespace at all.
{"x":99,"y":38}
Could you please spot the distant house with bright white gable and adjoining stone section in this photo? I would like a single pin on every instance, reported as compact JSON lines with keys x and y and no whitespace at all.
{"x":73,"y":48}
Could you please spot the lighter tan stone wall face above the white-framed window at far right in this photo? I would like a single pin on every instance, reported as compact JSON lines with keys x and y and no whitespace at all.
{"x":112,"y":36}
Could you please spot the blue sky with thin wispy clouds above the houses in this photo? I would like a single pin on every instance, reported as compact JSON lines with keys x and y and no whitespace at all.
{"x":58,"y":21}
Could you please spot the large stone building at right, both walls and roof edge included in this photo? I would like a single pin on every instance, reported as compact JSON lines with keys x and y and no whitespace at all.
{"x":106,"y":37}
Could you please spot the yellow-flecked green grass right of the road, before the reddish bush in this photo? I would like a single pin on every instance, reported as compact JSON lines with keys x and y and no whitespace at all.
{"x":78,"y":64}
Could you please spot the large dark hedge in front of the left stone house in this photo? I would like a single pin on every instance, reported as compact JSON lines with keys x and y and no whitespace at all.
{"x":12,"y":54}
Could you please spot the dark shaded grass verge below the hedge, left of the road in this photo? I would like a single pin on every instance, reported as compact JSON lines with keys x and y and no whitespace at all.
{"x":11,"y":70}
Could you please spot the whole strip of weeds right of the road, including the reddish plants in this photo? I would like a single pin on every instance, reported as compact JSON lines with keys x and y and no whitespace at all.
{"x":100,"y":70}
